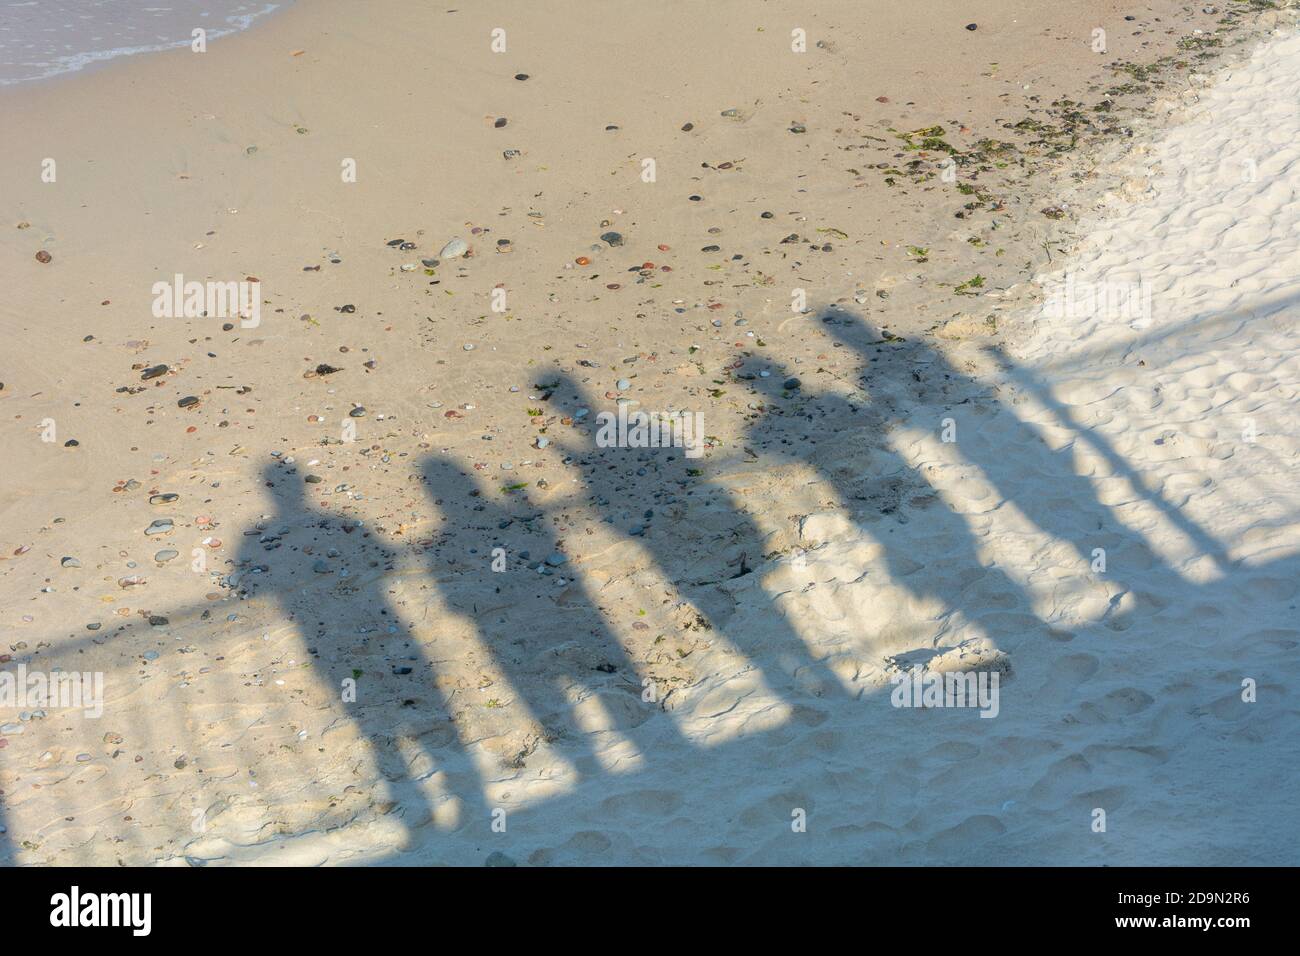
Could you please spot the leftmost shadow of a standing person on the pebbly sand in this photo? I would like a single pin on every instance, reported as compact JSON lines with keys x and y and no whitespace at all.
{"x":328,"y":576}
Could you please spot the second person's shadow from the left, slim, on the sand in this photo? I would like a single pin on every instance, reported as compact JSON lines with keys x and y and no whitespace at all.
{"x":504,"y":569}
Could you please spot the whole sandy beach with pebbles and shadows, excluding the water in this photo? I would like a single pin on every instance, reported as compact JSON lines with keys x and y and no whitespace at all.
{"x":972,"y":335}
